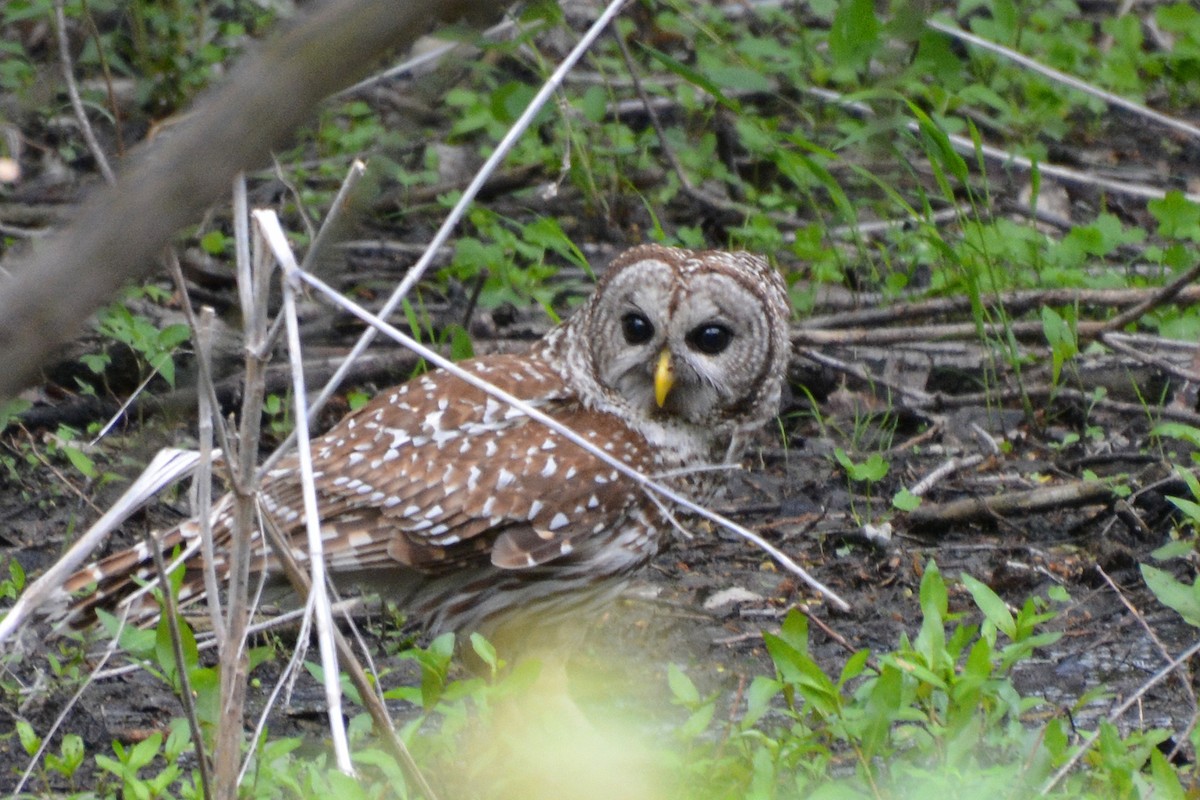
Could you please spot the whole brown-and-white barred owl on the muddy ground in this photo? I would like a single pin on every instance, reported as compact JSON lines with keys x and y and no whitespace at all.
{"x":463,"y":509}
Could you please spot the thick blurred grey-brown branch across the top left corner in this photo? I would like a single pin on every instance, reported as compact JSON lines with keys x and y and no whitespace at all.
{"x":121,"y":231}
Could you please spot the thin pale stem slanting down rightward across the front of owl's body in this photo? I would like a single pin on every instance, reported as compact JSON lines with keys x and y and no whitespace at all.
{"x":647,"y":484}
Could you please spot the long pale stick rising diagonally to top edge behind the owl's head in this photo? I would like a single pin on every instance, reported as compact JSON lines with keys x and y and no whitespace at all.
{"x":459,"y":210}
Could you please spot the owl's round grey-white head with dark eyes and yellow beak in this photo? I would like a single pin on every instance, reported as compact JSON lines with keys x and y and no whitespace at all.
{"x":683,"y":338}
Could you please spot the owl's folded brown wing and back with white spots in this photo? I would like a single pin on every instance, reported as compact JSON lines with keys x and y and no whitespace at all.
{"x":435,"y":474}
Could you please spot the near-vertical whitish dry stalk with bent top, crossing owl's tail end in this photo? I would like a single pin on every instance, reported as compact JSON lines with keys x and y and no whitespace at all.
{"x":319,"y":598}
